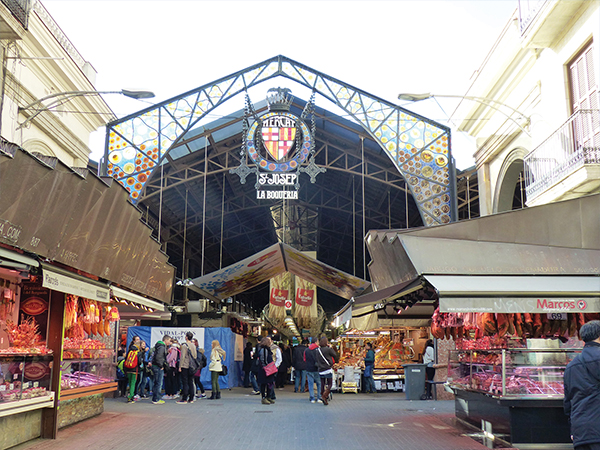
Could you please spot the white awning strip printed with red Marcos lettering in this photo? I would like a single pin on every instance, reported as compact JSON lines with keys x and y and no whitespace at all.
{"x":520,"y":305}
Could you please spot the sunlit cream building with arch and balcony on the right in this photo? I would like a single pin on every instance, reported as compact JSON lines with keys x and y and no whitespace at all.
{"x":536,"y":121}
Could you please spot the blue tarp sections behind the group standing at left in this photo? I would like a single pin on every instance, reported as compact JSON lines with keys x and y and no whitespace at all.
{"x":226,"y":338}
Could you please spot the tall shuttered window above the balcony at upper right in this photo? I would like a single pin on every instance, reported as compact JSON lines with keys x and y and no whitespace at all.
{"x":584,"y":99}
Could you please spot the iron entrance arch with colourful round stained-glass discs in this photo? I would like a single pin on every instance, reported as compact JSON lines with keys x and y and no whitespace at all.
{"x":419,"y":148}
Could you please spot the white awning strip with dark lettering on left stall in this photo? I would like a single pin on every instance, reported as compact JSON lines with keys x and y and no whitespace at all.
{"x":60,"y":280}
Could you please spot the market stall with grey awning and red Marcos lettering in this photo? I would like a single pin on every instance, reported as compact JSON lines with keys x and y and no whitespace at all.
{"x":512,"y":291}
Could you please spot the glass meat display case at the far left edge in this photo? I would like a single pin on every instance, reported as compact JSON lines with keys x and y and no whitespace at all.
{"x":25,"y":376}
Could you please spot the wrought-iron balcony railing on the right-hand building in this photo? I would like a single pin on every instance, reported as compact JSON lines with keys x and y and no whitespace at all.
{"x":575,"y":144}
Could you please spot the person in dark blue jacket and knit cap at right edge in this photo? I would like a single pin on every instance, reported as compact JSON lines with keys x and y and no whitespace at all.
{"x":582,"y":390}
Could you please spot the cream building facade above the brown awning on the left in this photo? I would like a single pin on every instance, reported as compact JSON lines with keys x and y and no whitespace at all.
{"x":38,"y":61}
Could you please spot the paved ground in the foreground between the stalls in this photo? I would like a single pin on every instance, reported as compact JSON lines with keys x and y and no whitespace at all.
{"x":239,"y":421}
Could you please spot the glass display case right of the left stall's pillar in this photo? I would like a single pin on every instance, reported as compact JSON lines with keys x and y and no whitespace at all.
{"x":83,"y":368}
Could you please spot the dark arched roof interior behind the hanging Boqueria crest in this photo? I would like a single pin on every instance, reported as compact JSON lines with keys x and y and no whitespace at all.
{"x":234,"y":224}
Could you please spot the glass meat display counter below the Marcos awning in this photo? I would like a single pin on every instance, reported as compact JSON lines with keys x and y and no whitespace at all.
{"x":510,"y":373}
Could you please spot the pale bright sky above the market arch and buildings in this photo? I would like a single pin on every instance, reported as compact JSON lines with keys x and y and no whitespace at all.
{"x":383,"y":48}
